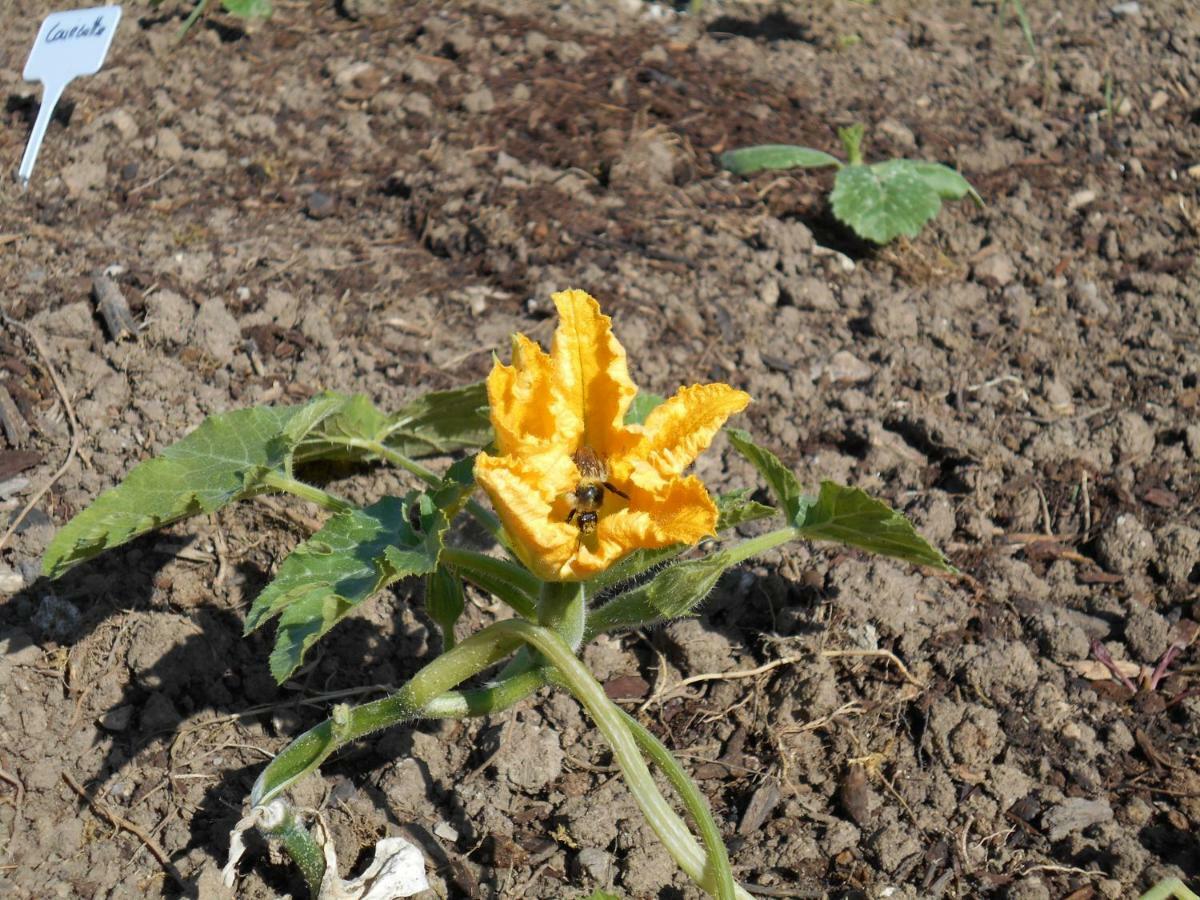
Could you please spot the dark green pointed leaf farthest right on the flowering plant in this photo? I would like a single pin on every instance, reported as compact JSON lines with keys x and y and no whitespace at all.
{"x":848,"y":515}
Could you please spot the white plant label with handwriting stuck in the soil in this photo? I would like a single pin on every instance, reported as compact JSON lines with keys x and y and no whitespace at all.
{"x":69,"y":44}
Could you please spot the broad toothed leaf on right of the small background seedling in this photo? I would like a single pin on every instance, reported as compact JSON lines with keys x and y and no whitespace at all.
{"x":887,"y":200}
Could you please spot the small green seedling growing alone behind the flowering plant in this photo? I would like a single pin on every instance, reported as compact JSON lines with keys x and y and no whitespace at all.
{"x":880,"y":201}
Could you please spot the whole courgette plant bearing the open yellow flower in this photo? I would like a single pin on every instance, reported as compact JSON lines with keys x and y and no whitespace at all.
{"x":597,"y":526}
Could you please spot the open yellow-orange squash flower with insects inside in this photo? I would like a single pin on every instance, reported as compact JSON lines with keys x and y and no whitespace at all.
{"x":557,"y":413}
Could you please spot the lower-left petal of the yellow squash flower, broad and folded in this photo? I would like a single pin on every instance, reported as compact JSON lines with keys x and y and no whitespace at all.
{"x":529,"y":496}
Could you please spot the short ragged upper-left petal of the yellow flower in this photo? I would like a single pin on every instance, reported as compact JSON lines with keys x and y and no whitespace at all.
{"x":529,"y":411}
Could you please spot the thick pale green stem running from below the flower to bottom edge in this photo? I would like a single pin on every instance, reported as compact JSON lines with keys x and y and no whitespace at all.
{"x":610,"y":721}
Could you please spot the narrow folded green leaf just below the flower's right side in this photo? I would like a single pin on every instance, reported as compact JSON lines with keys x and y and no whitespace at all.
{"x":674,"y":592}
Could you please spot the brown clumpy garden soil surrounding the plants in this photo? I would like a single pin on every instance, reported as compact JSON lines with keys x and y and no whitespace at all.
{"x":370,"y":197}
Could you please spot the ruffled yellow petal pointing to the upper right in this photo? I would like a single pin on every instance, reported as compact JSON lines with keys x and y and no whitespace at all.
{"x":681,"y":429}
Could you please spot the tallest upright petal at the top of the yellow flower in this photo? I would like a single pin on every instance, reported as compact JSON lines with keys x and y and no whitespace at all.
{"x":591,"y":370}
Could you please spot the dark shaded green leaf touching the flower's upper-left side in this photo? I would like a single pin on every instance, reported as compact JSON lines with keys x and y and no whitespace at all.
{"x":441,"y":423}
